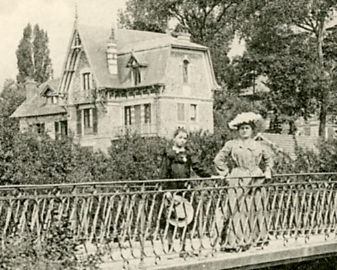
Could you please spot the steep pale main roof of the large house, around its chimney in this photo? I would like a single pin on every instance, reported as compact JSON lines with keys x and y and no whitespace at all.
{"x":147,"y":47}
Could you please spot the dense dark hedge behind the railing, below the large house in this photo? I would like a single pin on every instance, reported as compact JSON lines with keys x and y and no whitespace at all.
{"x":28,"y":159}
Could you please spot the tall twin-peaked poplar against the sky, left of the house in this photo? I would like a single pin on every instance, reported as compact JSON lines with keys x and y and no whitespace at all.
{"x":33,"y":55}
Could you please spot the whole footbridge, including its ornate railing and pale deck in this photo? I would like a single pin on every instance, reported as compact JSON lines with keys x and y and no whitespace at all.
{"x":127,"y":221}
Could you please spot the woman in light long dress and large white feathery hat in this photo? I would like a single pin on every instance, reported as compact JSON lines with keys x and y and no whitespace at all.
{"x":247,"y":223}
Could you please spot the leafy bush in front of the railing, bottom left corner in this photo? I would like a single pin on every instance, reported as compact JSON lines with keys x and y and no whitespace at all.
{"x":59,"y":251}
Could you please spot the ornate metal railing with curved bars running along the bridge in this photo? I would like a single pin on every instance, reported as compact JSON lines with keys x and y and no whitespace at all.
{"x":138,"y":222}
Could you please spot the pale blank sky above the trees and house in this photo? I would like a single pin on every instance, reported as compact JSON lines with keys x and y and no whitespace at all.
{"x":57,"y":18}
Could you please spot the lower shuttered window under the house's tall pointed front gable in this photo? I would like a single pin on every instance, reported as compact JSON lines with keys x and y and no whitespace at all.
{"x":87,"y":122}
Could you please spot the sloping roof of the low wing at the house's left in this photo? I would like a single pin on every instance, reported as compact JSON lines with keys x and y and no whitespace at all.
{"x":37,"y":105}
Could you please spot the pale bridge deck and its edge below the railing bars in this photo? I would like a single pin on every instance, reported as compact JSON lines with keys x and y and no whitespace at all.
{"x":278,"y":252}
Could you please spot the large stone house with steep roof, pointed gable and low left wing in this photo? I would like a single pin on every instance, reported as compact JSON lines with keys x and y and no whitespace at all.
{"x":116,"y":81}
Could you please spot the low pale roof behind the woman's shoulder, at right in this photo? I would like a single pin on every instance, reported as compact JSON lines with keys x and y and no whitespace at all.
{"x":287,"y":143}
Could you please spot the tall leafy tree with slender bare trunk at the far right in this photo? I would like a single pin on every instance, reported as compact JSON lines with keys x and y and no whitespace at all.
{"x":298,"y":17}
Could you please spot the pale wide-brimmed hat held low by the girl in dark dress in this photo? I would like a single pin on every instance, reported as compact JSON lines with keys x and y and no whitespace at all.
{"x":181,"y":213}
